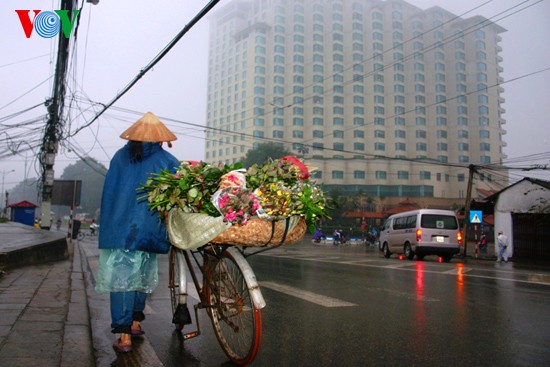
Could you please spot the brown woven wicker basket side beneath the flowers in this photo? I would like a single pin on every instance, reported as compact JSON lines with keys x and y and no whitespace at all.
{"x":262,"y":232}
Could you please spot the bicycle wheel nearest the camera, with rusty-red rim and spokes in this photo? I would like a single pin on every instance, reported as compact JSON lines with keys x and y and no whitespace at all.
{"x":237,"y":322}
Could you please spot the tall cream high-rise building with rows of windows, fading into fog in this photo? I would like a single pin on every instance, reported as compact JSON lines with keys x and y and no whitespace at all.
{"x":382,"y":97}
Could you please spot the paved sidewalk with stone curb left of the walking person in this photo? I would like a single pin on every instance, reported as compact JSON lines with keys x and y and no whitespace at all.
{"x":45,"y":318}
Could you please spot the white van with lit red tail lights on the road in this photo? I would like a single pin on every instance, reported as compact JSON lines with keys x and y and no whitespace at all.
{"x":422,"y":232}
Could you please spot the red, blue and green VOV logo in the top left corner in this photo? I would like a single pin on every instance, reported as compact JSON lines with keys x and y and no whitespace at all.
{"x":47,"y":24}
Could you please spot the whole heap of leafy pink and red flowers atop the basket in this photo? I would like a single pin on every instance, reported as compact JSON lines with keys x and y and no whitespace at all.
{"x":276,"y":189}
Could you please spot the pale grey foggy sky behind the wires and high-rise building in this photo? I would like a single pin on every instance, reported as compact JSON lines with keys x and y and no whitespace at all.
{"x":118,"y":38}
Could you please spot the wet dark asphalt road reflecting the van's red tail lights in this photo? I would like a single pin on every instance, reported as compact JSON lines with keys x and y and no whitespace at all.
{"x":348,"y":306}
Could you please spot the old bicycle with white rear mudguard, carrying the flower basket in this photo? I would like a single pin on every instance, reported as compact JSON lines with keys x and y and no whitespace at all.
{"x":229,"y":292}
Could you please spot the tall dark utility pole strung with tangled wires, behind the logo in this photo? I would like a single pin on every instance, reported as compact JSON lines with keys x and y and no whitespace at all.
{"x":54,"y":125}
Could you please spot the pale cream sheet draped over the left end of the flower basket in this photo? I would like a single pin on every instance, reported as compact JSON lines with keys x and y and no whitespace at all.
{"x":192,"y":230}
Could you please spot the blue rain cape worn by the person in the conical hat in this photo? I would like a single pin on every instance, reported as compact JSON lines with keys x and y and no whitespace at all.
{"x":125,"y":222}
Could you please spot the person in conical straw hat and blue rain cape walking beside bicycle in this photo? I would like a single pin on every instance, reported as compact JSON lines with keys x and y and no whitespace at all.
{"x":131,"y":235}
